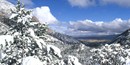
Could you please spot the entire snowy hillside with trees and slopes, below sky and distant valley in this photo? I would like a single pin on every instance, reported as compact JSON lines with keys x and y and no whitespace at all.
{"x":25,"y":41}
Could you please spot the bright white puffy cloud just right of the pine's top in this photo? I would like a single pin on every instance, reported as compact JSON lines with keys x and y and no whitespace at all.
{"x":44,"y":15}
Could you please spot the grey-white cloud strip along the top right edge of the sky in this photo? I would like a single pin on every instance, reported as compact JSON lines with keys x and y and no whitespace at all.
{"x":86,"y":3}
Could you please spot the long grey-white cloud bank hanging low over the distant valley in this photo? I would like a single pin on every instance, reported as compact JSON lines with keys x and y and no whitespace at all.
{"x":106,"y":28}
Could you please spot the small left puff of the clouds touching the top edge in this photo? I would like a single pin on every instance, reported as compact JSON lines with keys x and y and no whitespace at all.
{"x":82,"y":3}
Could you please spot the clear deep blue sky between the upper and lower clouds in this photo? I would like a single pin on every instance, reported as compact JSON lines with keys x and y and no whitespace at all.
{"x":63,"y":10}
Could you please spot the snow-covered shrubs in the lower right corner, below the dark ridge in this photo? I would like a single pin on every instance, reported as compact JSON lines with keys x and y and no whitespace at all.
{"x":113,"y":54}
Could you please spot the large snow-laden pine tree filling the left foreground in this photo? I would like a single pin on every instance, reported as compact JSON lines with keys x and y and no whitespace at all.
{"x":24,"y":43}
